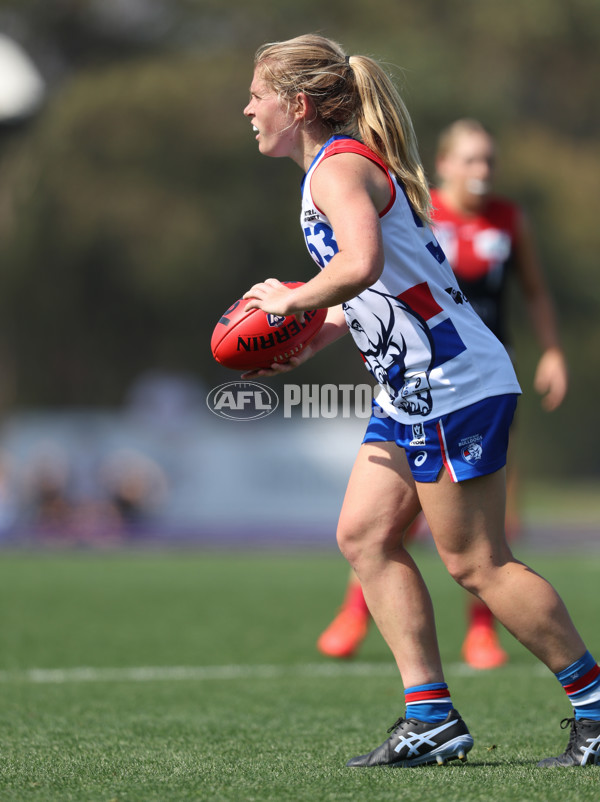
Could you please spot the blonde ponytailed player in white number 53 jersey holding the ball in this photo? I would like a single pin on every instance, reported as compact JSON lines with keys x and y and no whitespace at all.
{"x":438,"y":436}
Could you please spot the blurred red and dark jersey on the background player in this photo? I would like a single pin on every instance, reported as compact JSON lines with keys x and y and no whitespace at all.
{"x":480,"y":248}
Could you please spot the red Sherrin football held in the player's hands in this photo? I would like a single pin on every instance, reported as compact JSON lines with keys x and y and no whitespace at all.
{"x":252,"y":340}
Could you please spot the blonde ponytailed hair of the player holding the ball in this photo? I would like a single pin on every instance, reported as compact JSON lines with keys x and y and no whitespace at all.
{"x":352,"y":96}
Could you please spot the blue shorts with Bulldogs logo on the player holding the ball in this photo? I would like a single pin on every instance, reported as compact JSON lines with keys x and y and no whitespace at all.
{"x":469,"y":442}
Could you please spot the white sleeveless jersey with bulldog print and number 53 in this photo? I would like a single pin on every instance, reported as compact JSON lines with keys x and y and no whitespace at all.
{"x":418,"y":335}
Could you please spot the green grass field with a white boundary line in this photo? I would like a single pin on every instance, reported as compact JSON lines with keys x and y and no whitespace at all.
{"x":194,"y":676}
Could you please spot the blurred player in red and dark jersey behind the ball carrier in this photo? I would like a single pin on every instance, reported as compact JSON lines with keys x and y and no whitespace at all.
{"x":487,"y":240}
